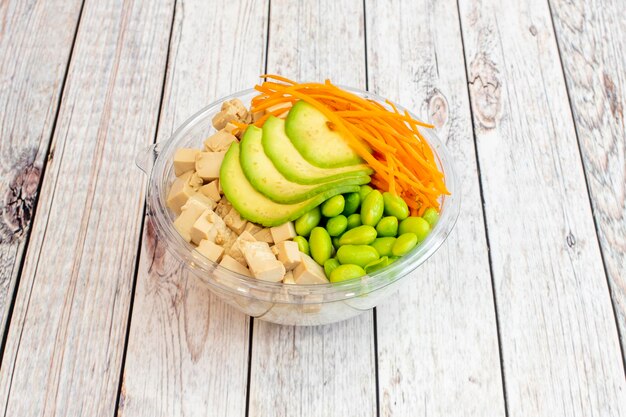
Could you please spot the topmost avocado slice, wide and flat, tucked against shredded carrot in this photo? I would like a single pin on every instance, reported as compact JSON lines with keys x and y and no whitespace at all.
{"x":308,"y":130}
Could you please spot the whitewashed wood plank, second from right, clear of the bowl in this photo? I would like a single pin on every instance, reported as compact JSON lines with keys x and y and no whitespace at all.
{"x":560,"y":348}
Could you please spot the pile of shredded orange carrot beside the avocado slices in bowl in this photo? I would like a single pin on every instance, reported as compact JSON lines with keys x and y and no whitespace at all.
{"x":387,"y":139}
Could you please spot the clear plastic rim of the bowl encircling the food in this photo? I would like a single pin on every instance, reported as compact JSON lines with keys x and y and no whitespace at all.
{"x":158,"y":185}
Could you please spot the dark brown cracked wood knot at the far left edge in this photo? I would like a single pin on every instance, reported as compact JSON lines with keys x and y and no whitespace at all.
{"x":19,"y":201}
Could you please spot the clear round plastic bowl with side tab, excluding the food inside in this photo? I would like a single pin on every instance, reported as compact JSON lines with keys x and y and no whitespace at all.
{"x":277,"y":302}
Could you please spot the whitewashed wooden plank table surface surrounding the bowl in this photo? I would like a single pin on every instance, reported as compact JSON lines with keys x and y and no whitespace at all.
{"x":522,"y":312}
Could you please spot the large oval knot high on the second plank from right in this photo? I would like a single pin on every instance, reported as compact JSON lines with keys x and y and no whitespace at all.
{"x":486,"y":92}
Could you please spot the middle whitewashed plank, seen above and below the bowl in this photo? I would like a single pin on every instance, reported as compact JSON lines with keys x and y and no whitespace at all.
{"x":325,"y":370}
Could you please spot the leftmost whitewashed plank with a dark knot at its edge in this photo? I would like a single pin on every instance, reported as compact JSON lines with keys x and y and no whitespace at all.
{"x":31,"y":74}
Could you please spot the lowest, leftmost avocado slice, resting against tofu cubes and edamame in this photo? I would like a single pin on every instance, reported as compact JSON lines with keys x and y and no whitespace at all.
{"x":253,"y":205}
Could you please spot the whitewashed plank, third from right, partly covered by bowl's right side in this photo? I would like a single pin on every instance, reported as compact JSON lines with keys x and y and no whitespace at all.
{"x":437,"y":338}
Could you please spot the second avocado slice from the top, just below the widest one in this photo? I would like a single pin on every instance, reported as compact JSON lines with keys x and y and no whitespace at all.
{"x":292,"y":165}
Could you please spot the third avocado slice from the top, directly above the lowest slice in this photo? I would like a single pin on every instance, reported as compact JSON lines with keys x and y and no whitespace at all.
{"x":266,"y":179}
